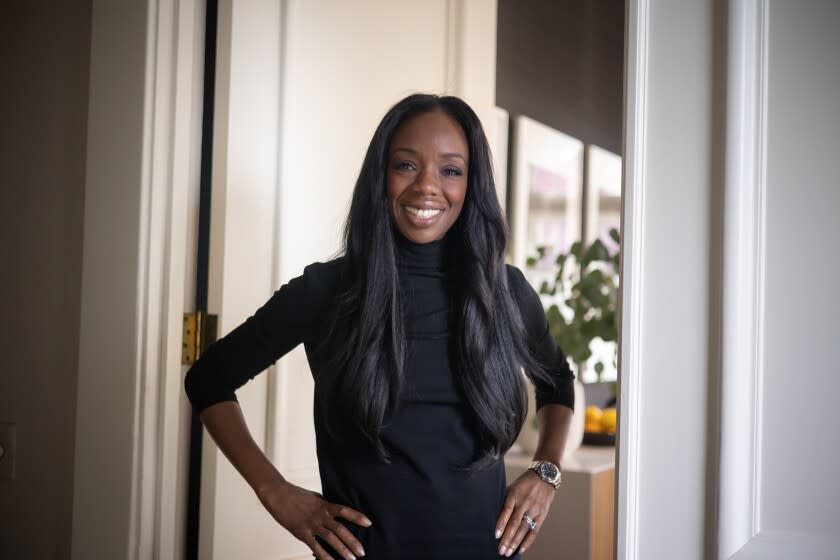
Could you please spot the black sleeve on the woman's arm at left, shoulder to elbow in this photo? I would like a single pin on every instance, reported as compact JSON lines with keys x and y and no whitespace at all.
{"x":283,"y":322}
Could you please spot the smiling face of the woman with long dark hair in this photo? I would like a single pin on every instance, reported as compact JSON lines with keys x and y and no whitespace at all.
{"x":427,"y":176}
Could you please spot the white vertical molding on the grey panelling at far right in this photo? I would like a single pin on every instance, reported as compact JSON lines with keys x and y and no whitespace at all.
{"x":743,"y":278}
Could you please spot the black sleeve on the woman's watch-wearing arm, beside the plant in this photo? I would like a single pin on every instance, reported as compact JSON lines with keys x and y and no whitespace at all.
{"x":542,"y":345}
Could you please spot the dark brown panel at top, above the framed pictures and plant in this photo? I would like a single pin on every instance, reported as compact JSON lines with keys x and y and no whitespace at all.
{"x":561,"y":62}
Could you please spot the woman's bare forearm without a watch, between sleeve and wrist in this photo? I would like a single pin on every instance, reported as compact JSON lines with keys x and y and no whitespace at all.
{"x":225,"y":423}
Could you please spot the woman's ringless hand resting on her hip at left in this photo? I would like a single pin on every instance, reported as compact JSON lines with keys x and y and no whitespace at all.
{"x":306,"y":514}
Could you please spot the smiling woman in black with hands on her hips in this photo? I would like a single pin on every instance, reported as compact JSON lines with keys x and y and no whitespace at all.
{"x":417,"y":336}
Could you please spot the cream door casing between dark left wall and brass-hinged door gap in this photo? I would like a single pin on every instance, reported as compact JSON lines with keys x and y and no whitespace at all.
{"x":142,"y":161}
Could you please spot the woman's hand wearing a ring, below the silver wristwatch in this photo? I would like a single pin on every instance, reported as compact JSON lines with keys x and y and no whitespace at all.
{"x":527,"y":495}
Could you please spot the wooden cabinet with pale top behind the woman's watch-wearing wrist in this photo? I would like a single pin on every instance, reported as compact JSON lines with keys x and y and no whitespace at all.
{"x":580,"y":524}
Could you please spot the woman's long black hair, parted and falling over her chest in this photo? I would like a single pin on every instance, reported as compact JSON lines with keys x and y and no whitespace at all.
{"x":366,"y":375}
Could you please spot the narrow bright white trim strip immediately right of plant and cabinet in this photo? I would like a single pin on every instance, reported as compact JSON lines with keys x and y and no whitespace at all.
{"x":628,"y":444}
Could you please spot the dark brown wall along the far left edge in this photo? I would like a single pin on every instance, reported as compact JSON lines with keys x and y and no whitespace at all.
{"x":44,"y":69}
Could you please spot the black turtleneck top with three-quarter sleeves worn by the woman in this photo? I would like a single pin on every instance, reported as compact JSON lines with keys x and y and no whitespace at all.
{"x":420,"y":506}
